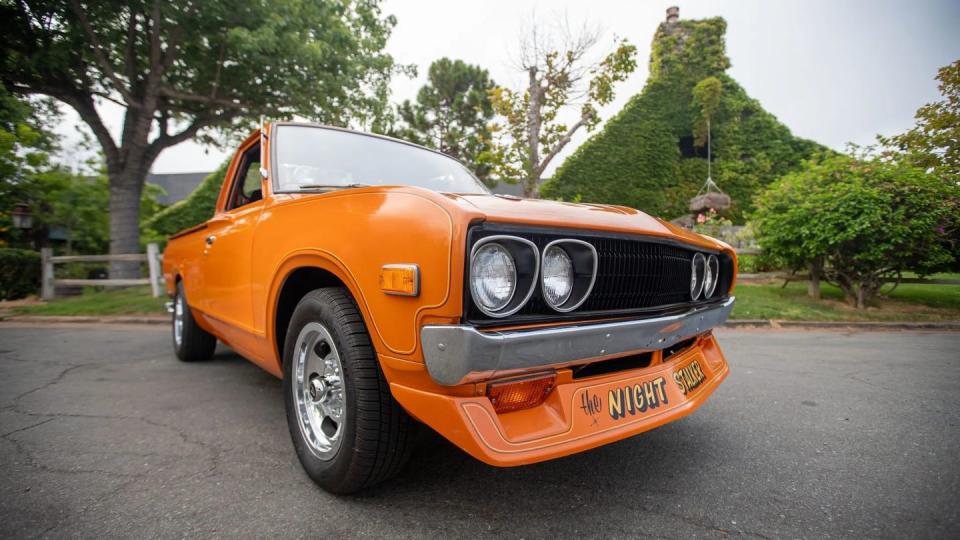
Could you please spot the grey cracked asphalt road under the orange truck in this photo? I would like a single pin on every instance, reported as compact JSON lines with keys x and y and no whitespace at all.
{"x":814,"y":434}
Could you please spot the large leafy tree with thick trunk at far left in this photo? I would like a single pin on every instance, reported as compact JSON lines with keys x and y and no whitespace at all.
{"x":179,"y":69}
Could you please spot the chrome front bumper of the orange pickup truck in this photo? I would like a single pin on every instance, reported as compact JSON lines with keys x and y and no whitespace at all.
{"x":458,"y":354}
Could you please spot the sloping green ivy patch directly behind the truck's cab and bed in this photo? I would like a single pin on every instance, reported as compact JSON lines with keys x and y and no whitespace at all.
{"x":195,"y":209}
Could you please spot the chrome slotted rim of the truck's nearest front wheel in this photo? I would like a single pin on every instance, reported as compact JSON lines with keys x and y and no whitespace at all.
{"x":318,"y":390}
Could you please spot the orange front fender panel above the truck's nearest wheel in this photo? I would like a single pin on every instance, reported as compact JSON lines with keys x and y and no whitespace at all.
{"x":353,"y":234}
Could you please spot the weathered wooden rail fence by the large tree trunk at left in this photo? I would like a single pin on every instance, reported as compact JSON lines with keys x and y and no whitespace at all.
{"x":153,"y":257}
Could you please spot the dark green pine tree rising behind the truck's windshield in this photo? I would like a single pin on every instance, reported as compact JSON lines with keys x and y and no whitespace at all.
{"x":451,"y":113}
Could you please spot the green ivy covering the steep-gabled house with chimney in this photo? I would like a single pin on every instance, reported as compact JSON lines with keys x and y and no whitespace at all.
{"x":652,"y":154}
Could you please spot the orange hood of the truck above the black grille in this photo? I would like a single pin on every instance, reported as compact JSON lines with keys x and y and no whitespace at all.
{"x":603,"y":217}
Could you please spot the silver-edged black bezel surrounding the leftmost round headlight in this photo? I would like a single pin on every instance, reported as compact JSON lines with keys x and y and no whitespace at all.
{"x":526,"y":264}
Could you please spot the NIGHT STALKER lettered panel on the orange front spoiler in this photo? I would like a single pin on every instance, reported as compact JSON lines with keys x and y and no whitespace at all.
{"x":623,"y":401}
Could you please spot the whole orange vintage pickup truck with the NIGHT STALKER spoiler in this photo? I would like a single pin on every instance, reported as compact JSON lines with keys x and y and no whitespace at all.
{"x":389,"y":288}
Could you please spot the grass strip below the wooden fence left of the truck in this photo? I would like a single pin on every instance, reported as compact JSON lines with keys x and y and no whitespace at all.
{"x":128,"y":301}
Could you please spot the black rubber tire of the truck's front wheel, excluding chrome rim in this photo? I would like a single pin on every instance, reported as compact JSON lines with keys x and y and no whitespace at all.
{"x":377,"y":434}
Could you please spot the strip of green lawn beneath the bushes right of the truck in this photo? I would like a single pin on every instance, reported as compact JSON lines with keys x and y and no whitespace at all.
{"x":905,"y":303}
